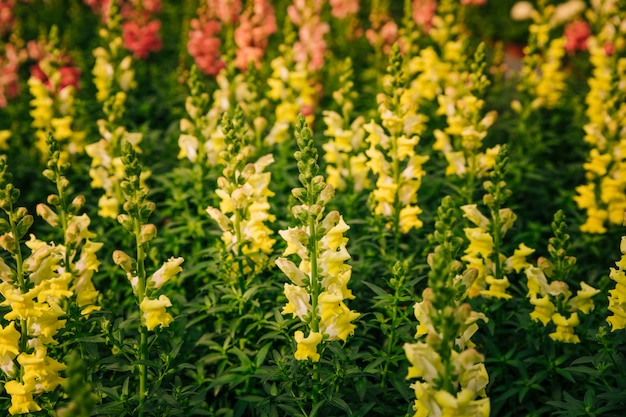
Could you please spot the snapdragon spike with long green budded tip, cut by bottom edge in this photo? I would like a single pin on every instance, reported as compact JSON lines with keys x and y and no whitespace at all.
{"x":451,"y":376}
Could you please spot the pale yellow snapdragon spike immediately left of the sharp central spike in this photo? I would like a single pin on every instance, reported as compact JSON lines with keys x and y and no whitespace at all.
{"x":243,"y":191}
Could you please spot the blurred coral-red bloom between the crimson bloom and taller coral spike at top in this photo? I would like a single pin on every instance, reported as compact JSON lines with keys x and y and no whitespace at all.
{"x":204,"y":46}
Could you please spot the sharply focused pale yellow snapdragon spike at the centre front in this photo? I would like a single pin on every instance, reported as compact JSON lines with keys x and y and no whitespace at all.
{"x":319,"y":284}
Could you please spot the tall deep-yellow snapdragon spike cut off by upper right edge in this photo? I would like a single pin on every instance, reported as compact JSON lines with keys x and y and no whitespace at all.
{"x":603,"y":197}
